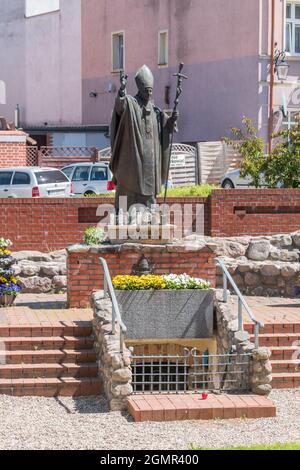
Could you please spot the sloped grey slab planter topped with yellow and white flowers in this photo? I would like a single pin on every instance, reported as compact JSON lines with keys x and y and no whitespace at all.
{"x":165,"y":307}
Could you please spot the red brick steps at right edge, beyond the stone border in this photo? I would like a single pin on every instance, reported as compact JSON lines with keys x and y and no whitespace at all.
{"x":283,"y":339}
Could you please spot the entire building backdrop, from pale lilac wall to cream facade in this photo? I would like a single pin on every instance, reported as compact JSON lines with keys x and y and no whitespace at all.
{"x":61,"y":61}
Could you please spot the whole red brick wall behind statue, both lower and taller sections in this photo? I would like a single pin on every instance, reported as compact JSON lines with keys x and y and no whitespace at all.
{"x":51,"y":224}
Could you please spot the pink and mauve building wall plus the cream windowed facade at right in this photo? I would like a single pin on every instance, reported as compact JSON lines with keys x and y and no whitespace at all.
{"x":226,"y":46}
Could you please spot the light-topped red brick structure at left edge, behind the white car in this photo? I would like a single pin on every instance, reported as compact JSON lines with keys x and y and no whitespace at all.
{"x":12,"y":153}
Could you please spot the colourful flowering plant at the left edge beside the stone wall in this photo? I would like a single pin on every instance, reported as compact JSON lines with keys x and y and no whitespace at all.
{"x":9,"y":287}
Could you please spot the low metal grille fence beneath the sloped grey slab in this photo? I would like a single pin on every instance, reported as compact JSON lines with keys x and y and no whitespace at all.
{"x":191,"y":371}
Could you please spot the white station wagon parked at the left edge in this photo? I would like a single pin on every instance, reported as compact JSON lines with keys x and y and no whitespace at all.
{"x":28,"y":181}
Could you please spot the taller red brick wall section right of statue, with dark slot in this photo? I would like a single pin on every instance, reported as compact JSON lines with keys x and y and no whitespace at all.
{"x":254,"y":212}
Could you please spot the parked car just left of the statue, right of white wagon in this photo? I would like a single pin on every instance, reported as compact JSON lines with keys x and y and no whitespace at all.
{"x":90,"y":178}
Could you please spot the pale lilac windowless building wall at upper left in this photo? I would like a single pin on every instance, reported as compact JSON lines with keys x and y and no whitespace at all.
{"x":41,"y":71}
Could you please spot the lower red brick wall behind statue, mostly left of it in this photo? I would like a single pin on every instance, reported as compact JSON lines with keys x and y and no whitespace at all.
{"x":51,"y":223}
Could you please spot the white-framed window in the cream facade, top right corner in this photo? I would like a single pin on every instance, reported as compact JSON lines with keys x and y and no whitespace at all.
{"x":292,"y":28}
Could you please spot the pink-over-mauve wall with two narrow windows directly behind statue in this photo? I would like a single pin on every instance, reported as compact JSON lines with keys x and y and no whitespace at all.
{"x":217,"y":40}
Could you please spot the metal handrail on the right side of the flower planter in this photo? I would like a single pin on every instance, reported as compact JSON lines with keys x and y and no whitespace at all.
{"x":241,"y":303}
